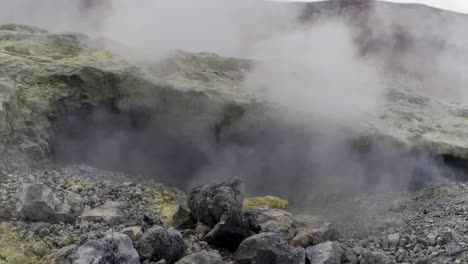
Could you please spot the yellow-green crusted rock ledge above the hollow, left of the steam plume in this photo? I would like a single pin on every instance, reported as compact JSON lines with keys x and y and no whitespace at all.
{"x":45,"y":75}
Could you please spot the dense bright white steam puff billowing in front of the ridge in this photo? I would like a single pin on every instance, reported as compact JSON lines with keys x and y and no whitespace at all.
{"x":317,"y":70}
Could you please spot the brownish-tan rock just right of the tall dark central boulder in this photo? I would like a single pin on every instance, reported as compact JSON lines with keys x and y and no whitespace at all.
{"x":265,"y":219}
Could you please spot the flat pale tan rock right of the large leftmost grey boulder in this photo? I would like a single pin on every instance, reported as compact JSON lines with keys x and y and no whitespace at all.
{"x":109,"y":212}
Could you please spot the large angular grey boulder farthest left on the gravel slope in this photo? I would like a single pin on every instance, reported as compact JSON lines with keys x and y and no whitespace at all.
{"x":37,"y":202}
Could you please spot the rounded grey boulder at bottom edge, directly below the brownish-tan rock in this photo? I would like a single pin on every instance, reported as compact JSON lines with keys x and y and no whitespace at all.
{"x":268,"y":248}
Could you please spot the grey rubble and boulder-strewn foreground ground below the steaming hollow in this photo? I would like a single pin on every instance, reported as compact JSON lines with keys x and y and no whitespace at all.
{"x":72,"y":214}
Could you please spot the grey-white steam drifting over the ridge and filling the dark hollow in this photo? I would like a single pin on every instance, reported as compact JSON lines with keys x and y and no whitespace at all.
{"x":326,"y":73}
